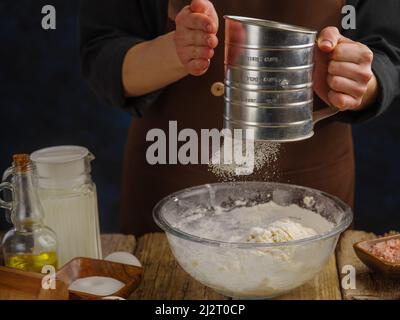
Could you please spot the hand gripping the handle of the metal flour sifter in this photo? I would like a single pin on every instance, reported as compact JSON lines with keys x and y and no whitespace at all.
{"x":343,"y":74}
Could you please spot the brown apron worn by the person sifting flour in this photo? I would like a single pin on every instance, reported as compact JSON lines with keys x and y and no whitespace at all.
{"x":325,"y":162}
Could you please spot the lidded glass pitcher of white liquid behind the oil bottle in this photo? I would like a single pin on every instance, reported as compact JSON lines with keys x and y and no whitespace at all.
{"x":69,"y":199}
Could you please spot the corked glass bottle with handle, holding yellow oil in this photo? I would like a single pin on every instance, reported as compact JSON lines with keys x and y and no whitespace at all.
{"x":30,"y":245}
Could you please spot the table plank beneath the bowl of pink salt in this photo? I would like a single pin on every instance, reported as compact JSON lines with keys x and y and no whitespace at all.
{"x":370,"y":285}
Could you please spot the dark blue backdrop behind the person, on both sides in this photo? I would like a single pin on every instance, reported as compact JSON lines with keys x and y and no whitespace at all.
{"x":44,"y":102}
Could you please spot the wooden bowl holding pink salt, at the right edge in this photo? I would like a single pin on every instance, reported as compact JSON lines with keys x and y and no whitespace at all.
{"x":362,"y":249}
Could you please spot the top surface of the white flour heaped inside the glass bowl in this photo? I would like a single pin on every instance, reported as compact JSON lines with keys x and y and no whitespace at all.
{"x":240,"y":223}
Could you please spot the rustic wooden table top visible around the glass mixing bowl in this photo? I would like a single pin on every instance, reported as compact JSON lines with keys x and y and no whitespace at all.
{"x":165,"y":279}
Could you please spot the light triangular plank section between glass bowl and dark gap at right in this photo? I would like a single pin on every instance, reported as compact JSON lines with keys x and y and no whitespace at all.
{"x":323,"y":287}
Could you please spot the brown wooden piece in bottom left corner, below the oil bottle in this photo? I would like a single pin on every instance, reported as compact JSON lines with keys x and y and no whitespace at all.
{"x":20,"y":285}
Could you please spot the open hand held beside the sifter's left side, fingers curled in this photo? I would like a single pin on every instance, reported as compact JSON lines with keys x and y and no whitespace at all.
{"x":195,"y":36}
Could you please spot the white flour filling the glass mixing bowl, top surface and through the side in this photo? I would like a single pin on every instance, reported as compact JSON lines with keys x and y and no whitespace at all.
{"x":259,"y":271}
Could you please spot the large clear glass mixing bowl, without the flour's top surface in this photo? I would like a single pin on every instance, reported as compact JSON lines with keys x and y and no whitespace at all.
{"x":246,"y":270}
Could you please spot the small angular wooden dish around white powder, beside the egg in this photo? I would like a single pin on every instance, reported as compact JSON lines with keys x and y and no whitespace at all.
{"x":84,"y":267}
